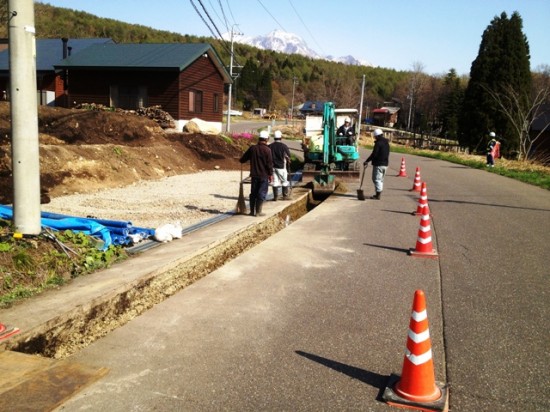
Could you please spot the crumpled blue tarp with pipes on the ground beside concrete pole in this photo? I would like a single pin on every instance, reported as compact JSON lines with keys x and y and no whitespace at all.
{"x":109,"y":231}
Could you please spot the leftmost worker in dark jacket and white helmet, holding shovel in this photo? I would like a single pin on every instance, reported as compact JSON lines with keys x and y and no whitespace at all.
{"x":261,"y":172}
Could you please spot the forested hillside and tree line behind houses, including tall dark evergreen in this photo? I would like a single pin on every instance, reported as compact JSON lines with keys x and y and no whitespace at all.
{"x":501,"y":94}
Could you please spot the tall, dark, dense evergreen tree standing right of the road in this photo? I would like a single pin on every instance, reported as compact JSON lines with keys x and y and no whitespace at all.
{"x":502,"y":63}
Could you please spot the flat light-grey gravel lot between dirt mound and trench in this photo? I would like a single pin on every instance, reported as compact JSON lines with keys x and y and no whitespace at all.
{"x":187,"y":199}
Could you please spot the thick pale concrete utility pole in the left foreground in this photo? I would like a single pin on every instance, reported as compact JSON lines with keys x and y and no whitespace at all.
{"x":24,"y":118}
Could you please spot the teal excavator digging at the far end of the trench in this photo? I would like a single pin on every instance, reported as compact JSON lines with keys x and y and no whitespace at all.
{"x":328,"y":157}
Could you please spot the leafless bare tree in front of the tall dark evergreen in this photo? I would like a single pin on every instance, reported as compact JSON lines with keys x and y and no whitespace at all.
{"x":522,"y":116}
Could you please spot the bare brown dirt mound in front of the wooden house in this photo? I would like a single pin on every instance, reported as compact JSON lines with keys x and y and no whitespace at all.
{"x":84,"y":151}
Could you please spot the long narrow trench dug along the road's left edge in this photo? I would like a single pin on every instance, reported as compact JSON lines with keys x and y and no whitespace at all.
{"x":62,"y":338}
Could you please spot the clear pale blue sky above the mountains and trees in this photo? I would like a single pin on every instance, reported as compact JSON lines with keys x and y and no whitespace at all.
{"x":439,"y":34}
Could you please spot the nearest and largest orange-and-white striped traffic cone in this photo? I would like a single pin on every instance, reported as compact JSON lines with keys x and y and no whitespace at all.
{"x":416,"y":387}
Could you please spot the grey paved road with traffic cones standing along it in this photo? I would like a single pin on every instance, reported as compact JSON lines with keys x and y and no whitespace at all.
{"x":316,"y":317}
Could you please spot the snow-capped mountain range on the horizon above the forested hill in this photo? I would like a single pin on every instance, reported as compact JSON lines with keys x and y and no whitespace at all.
{"x":290,"y":43}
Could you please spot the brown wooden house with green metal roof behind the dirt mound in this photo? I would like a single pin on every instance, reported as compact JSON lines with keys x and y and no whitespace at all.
{"x":186,"y":79}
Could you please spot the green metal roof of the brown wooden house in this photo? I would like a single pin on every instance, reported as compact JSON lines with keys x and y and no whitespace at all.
{"x":165,"y":56}
